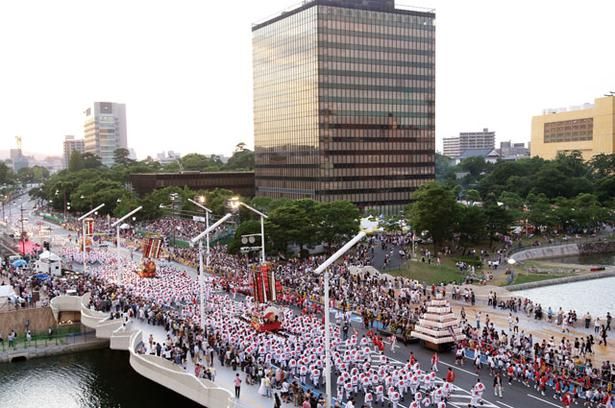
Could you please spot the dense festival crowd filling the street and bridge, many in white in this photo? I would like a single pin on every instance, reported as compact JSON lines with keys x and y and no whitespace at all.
{"x":293,"y":363}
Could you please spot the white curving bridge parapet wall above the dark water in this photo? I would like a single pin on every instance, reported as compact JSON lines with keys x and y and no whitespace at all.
{"x":155,"y":368}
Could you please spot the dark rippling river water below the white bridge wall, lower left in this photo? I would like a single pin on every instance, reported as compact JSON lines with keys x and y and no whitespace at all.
{"x":91,"y":379}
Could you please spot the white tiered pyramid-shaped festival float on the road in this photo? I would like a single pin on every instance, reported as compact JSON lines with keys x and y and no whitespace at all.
{"x":439,"y":328}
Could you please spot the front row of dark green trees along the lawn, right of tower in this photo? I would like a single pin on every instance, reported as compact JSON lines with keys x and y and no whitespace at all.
{"x":436,"y":209}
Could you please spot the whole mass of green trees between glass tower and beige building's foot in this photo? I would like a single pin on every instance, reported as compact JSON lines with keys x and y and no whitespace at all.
{"x":476,"y":200}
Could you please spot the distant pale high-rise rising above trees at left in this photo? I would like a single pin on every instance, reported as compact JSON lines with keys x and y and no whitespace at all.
{"x":105,"y":130}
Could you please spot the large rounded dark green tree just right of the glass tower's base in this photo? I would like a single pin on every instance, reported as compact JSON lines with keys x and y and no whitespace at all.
{"x":434,"y":210}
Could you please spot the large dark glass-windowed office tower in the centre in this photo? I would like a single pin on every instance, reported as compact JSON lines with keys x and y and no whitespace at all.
{"x":344,"y":102}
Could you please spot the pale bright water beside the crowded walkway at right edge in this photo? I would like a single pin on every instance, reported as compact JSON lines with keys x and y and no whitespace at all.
{"x":593,"y":296}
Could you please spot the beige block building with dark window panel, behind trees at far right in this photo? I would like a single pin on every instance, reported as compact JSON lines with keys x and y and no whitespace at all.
{"x":589,"y":129}
